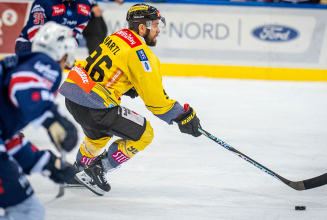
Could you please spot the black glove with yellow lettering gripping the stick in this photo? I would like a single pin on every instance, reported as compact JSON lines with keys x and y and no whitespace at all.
{"x":188,"y":122}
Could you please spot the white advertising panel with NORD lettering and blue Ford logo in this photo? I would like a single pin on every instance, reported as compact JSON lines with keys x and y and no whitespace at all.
{"x":236,"y":35}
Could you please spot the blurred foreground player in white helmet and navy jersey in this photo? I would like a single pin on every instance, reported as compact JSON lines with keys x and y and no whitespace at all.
{"x":28,"y":86}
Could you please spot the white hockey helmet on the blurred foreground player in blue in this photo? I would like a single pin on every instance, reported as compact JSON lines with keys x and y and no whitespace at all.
{"x":56,"y":41}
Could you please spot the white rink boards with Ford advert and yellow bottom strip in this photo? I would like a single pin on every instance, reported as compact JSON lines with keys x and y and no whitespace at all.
{"x":231,"y":40}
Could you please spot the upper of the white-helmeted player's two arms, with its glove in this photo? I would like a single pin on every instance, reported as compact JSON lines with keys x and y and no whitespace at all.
{"x":34,"y":96}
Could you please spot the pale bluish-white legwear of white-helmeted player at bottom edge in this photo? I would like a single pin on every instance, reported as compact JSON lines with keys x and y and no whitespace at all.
{"x":29,"y":209}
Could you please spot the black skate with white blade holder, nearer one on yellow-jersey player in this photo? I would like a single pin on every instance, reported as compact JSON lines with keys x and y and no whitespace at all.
{"x":94,"y":175}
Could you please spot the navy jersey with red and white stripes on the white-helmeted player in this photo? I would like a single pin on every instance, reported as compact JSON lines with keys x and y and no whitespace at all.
{"x":28,"y":86}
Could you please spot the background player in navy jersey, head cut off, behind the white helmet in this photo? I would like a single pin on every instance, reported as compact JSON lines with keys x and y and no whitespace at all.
{"x":70,"y":13}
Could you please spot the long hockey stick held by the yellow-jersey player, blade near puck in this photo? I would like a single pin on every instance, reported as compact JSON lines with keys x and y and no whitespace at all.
{"x":298,"y":185}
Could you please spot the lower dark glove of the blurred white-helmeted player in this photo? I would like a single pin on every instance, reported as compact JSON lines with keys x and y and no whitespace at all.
{"x":57,"y":171}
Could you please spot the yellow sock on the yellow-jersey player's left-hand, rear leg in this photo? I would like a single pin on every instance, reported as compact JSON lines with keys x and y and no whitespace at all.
{"x":90,"y":149}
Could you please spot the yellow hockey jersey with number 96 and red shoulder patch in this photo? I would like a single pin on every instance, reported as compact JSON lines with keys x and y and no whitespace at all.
{"x":121,"y":62}
